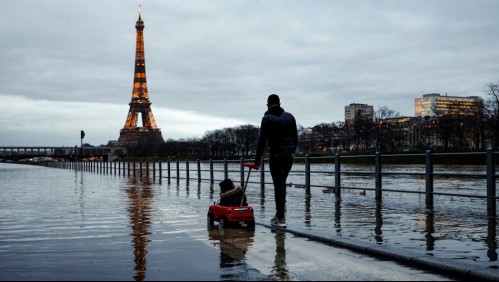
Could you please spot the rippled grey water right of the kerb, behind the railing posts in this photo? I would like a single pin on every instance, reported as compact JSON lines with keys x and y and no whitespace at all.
{"x":456,"y":228}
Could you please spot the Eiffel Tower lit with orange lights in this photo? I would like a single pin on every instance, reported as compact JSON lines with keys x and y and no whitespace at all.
{"x":145,"y":140}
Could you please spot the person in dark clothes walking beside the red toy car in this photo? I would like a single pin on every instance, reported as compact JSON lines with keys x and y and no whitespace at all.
{"x":278,"y":128}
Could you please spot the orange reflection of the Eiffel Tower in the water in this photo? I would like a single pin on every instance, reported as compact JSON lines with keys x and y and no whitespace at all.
{"x":140,"y":194}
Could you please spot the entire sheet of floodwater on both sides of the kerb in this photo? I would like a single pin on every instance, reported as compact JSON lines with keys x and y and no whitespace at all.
{"x":61,"y":224}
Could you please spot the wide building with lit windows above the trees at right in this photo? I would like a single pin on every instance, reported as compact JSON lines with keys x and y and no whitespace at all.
{"x":433,"y":104}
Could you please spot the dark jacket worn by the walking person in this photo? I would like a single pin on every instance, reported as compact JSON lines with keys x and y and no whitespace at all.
{"x":278,"y":128}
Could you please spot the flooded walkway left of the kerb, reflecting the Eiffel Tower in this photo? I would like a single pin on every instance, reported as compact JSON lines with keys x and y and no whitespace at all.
{"x":65,"y":225}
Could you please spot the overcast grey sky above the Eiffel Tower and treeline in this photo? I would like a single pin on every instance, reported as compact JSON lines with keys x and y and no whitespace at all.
{"x":68,"y":66}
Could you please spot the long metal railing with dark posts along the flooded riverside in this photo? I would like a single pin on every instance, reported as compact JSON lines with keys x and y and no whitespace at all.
{"x":332,"y":173}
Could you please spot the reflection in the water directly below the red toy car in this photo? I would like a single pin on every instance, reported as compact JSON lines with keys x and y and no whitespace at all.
{"x":233,"y":244}
